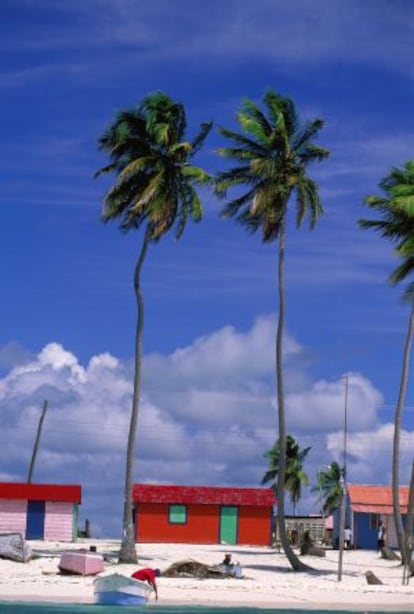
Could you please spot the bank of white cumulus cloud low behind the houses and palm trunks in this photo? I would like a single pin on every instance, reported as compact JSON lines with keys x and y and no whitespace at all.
{"x":207,"y":416}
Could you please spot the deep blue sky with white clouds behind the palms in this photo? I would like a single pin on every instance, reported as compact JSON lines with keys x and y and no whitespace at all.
{"x":68,"y":312}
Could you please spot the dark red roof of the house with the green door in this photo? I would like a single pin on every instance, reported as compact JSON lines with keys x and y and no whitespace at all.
{"x":158,"y":493}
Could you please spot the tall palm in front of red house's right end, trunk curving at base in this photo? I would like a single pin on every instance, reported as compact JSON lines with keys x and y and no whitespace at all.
{"x":272,"y":154}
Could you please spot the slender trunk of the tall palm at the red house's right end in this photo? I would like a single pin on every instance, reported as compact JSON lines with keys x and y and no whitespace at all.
{"x":292,"y":558}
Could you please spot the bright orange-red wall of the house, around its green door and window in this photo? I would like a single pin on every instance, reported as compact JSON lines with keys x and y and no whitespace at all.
{"x":203,"y":525}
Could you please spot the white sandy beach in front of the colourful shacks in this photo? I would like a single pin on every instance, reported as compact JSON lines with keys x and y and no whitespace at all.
{"x":267,"y":581}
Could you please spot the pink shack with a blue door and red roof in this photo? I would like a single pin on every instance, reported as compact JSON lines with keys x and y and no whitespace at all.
{"x":40,"y":511}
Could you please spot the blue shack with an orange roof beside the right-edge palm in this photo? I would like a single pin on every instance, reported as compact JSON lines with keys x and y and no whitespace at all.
{"x":366,"y":506}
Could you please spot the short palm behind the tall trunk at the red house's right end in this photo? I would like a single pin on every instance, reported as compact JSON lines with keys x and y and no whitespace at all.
{"x":295,"y":476}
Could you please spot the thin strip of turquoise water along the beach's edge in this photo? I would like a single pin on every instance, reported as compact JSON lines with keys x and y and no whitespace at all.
{"x":51,"y":608}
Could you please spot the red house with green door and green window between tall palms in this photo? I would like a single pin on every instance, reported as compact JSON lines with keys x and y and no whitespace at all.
{"x":203,"y":514}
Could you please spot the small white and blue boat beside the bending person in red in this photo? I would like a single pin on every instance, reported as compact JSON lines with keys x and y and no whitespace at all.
{"x":116,"y":589}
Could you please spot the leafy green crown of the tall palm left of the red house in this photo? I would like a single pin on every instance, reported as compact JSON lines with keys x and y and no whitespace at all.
{"x":149,"y":157}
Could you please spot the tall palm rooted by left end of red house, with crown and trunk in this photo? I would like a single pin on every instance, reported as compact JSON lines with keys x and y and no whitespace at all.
{"x":154,"y":189}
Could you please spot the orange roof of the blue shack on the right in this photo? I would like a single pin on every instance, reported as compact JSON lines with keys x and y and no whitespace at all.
{"x":375,"y":499}
